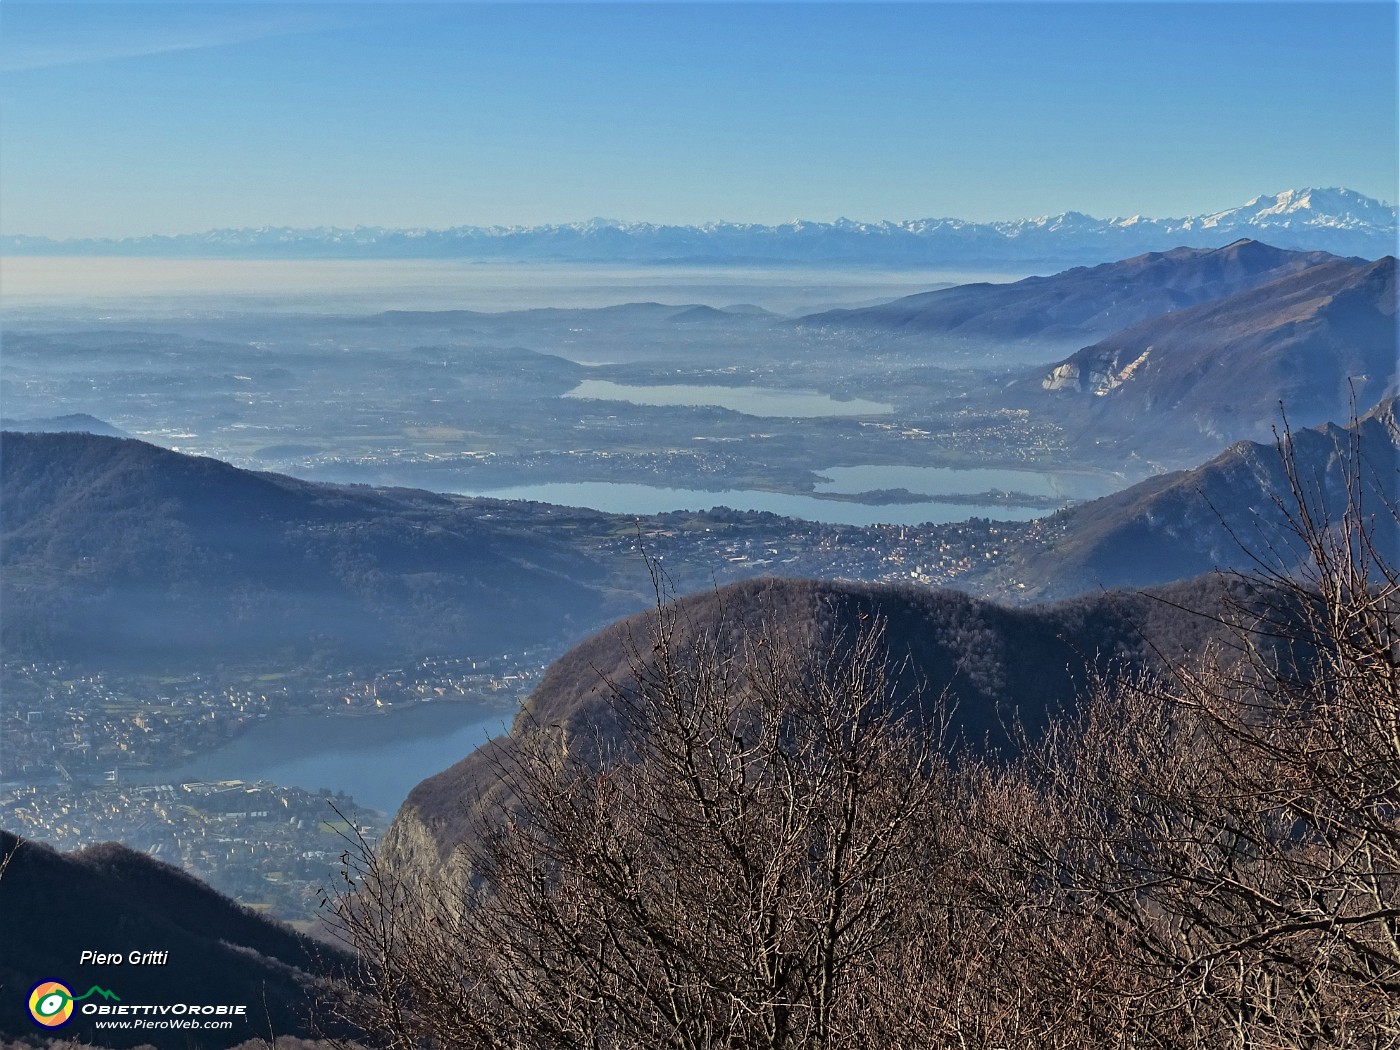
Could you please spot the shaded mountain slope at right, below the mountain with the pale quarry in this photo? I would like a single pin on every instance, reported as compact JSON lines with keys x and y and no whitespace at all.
{"x":1220,"y":516}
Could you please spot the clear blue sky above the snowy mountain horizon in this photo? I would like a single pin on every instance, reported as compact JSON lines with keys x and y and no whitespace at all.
{"x":125,"y":120}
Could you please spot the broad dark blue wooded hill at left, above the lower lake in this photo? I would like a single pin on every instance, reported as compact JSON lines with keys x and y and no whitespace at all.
{"x":120,"y":551}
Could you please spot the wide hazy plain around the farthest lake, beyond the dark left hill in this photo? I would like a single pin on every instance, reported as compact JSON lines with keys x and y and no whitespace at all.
{"x":593,"y":386}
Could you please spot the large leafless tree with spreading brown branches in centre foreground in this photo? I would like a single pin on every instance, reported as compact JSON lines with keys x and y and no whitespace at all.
{"x":740,"y":862}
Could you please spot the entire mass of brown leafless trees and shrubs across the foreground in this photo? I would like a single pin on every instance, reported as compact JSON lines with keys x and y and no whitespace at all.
{"x":773,"y":839}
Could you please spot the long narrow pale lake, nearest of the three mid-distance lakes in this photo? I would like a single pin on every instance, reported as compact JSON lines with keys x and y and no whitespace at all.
{"x":624,"y":498}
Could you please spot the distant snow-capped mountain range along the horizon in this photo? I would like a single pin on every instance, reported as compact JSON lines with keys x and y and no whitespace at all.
{"x":1333,"y":220}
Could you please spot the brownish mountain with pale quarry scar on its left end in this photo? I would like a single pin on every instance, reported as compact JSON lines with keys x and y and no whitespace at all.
{"x":1308,"y":339}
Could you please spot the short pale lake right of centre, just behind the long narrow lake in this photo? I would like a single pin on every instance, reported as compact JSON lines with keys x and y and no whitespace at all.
{"x":954,"y":481}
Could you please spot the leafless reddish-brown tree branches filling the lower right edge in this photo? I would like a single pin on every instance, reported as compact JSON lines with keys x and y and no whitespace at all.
{"x":1224,"y":838}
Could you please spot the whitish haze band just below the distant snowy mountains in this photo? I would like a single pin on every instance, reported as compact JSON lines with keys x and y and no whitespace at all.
{"x":51,"y":288}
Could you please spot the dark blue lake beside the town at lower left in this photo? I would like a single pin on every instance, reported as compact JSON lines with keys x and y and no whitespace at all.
{"x":376,"y":759}
